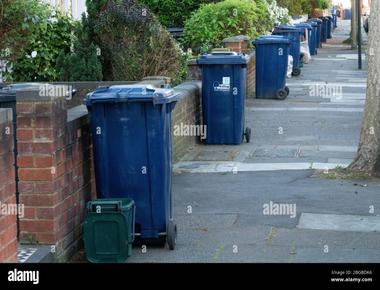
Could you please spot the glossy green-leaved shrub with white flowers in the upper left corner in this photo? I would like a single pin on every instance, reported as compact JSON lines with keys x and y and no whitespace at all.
{"x":49,"y":32}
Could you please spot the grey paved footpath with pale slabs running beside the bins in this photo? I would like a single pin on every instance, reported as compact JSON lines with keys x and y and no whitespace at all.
{"x":260,"y":202}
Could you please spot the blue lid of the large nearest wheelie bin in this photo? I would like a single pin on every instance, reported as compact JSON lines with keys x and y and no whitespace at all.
{"x":131,"y":93}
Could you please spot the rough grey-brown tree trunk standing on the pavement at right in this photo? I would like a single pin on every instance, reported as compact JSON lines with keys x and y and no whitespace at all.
{"x":368,"y":156}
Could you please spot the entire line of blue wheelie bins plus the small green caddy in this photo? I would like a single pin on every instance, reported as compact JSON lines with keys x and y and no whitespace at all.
{"x":132,"y":138}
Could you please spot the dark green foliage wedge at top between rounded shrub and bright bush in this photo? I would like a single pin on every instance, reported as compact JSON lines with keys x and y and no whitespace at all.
{"x":173,"y":13}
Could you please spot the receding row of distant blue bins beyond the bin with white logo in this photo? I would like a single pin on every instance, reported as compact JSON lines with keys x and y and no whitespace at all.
{"x":288,"y":44}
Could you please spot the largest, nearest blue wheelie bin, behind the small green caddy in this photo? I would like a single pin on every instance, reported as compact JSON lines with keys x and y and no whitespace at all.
{"x":131,"y":132}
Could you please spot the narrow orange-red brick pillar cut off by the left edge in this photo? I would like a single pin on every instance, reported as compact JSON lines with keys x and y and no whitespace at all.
{"x":8,"y":226}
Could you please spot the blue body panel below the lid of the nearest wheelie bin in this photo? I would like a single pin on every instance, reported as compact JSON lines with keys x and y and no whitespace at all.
{"x":133,"y":159}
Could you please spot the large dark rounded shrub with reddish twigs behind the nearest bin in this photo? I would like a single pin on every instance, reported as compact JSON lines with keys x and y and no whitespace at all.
{"x":133,"y":43}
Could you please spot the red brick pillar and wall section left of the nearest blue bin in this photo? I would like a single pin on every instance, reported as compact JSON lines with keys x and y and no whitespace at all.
{"x":54,"y":171}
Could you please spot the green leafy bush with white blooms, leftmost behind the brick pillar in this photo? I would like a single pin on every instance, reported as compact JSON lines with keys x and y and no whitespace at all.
{"x":45,"y":33}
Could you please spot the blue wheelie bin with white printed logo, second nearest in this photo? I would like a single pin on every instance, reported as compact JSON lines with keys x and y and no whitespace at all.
{"x":224,"y":77}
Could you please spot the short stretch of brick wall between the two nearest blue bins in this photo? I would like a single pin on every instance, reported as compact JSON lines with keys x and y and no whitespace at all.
{"x":187,"y":112}
